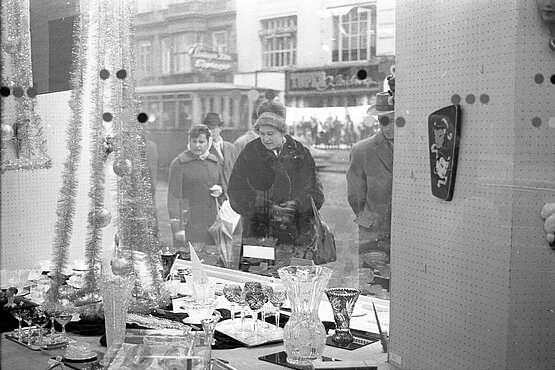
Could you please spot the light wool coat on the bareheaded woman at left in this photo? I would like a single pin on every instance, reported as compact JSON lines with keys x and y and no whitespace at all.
{"x":189,"y":198}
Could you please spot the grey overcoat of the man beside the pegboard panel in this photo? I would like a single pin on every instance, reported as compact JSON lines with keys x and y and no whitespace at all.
{"x":369,"y":185}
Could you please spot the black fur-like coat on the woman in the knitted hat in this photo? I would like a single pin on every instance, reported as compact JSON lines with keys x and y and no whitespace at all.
{"x":261,"y":179}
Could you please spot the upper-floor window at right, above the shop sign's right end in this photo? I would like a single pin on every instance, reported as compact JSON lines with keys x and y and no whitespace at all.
{"x":354,"y":35}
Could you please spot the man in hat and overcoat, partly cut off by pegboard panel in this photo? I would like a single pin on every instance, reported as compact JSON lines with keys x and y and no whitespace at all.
{"x":369,"y":181}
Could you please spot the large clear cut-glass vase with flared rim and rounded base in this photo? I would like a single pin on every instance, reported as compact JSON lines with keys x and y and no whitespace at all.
{"x":304,"y":335}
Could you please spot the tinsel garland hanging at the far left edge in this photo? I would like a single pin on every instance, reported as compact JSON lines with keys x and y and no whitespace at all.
{"x":23,"y":145}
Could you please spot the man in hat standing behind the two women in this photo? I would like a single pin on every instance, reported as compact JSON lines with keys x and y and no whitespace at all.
{"x":223,"y":150}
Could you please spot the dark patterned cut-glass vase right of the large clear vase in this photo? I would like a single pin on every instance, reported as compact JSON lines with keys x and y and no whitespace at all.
{"x":342,"y":303}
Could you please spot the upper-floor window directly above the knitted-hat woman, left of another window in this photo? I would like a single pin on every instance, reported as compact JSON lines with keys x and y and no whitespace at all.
{"x":279,"y":41}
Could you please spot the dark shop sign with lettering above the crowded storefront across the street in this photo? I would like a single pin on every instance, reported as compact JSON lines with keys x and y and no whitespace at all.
{"x":334,"y":79}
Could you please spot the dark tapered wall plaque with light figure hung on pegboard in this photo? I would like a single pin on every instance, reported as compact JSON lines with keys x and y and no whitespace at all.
{"x":443,"y":132}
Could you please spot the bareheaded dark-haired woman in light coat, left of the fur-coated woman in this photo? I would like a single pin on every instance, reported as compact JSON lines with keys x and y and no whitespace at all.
{"x":195,"y":180}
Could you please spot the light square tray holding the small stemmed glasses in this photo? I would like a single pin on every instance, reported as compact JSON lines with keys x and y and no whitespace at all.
{"x":266,"y":333}
